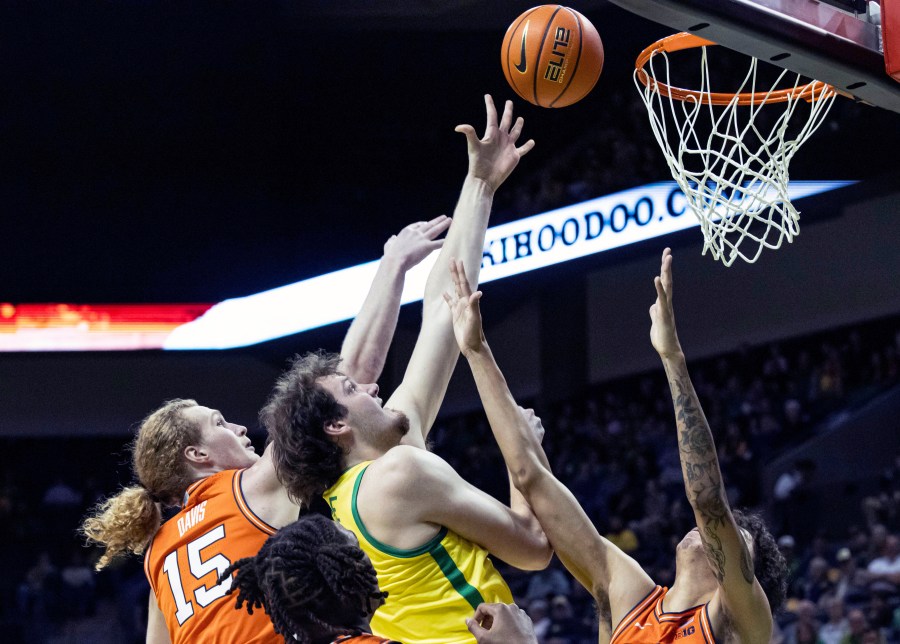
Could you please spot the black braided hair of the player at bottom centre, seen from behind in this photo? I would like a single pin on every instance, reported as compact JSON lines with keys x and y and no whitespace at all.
{"x":311,"y":579}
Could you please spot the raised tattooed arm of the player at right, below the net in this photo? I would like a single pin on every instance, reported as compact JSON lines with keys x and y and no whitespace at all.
{"x":727,"y":547}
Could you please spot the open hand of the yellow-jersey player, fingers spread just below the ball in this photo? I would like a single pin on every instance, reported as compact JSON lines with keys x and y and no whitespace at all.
{"x":493,"y":157}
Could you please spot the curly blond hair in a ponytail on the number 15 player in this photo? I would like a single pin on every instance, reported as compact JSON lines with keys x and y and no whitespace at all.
{"x":126,"y":522}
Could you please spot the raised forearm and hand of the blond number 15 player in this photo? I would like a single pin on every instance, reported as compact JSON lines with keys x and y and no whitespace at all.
{"x":369,"y":337}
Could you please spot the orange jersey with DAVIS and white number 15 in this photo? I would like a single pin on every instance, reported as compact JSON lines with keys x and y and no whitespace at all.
{"x":214,"y":528}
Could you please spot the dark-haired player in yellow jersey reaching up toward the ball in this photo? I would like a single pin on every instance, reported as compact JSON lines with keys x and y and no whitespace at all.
{"x":426,"y":530}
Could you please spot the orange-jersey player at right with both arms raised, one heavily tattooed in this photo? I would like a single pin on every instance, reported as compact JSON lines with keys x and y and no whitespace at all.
{"x":729,"y":574}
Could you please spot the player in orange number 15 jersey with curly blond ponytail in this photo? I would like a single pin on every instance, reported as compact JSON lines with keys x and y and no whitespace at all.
{"x":190,"y":457}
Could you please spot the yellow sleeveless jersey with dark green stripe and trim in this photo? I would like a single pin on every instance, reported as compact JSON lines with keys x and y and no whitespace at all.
{"x":431,"y":589}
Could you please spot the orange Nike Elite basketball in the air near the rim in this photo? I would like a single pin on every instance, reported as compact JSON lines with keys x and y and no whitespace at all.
{"x":552,"y":56}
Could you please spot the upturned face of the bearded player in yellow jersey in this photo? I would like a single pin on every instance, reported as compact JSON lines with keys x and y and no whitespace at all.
{"x":365,"y":414}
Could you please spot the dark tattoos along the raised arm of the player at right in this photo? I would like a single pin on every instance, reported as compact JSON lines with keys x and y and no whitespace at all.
{"x":702,"y":478}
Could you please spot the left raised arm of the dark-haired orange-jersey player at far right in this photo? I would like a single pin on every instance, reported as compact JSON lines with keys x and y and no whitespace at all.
{"x":615,"y":580}
